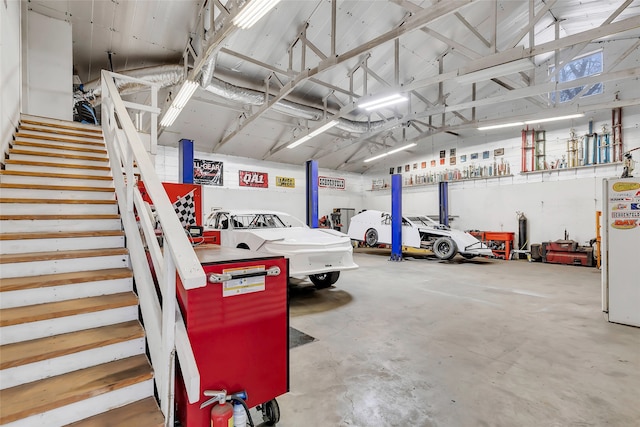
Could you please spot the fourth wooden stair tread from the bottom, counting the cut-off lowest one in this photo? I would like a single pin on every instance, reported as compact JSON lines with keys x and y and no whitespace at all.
{"x":54,"y":310}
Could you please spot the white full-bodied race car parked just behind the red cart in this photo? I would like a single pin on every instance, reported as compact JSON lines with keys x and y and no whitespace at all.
{"x":318,"y":253}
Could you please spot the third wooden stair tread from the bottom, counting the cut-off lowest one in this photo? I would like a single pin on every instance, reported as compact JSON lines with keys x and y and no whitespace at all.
{"x":25,"y":352}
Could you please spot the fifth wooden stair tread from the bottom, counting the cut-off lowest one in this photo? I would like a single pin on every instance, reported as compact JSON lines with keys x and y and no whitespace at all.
{"x":61,"y":279}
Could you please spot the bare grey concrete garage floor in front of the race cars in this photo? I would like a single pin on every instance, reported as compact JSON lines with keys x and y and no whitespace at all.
{"x":464,"y":343}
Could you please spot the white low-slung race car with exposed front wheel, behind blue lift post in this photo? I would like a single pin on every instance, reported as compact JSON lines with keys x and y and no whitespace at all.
{"x":418,"y":231}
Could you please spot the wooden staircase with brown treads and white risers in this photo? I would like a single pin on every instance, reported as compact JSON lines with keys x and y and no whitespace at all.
{"x":71,"y":348}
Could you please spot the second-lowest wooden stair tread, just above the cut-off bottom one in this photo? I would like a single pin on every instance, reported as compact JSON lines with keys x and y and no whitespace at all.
{"x":50,"y":393}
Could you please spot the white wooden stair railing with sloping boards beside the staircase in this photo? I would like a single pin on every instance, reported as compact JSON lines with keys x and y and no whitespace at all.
{"x":163,"y":324}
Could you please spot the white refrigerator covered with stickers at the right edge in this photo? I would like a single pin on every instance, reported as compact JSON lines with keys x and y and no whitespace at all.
{"x":621,"y":250}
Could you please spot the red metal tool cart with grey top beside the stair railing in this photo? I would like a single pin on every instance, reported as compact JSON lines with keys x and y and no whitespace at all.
{"x":238,"y":326}
